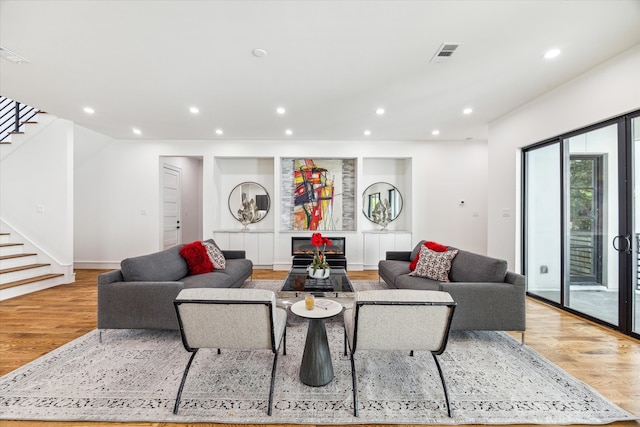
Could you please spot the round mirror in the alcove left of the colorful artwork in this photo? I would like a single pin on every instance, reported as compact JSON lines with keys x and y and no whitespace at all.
{"x":249,"y":203}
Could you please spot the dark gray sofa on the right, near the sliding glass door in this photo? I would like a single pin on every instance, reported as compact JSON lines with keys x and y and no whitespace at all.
{"x":489,"y":297}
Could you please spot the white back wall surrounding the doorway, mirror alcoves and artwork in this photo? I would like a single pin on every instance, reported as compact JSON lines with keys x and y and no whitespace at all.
{"x":117,"y":179}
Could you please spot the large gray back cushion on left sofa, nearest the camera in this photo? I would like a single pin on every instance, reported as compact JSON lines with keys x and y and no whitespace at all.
{"x":167,"y":265}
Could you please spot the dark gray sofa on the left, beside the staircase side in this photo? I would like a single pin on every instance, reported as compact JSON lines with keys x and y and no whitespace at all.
{"x":140,"y":295}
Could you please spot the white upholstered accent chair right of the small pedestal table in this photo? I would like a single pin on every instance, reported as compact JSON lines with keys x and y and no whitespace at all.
{"x":398,"y":319}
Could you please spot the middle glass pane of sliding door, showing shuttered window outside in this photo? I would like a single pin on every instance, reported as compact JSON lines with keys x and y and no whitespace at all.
{"x":591,"y":223}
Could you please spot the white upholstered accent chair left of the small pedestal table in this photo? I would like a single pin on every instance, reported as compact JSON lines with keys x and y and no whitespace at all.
{"x":230,"y":319}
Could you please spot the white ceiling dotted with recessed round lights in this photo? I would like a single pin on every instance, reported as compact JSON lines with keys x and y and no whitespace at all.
{"x":329,"y":63}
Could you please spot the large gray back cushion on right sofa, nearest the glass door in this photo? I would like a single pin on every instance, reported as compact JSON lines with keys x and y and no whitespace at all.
{"x":470,"y":267}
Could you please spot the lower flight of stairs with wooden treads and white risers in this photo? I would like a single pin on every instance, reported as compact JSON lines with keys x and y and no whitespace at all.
{"x":19,"y":268}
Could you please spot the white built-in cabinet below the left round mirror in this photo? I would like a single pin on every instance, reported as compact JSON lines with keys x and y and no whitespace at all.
{"x":258,"y":245}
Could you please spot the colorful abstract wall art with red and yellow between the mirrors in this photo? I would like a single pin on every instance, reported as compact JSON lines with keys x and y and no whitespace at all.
{"x":319,"y":194}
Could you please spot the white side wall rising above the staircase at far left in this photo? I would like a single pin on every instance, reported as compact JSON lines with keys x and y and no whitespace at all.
{"x":36,"y":190}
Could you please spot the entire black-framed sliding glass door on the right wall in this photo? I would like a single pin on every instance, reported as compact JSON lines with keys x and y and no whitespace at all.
{"x":582,"y":222}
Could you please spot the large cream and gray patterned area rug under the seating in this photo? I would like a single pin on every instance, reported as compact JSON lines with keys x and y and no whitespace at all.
{"x":133,"y":375}
